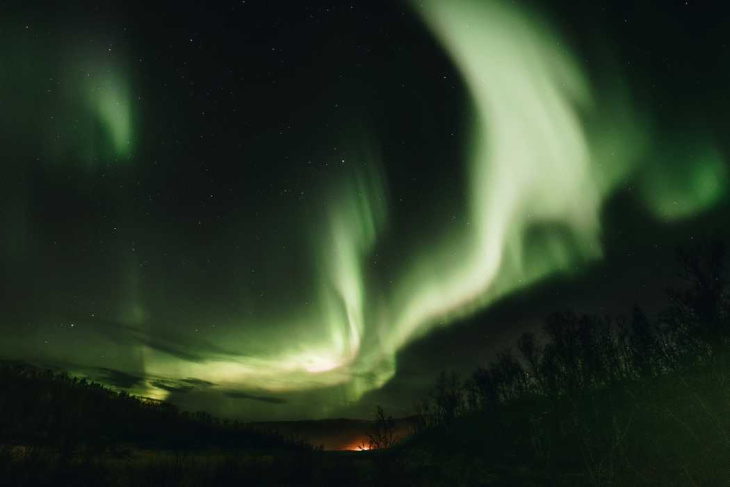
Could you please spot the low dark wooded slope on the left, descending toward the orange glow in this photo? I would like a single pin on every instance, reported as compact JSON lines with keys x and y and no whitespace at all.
{"x":41,"y":407}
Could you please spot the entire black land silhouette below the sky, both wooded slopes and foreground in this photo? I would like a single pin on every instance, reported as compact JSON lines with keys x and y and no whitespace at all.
{"x":587,"y":400}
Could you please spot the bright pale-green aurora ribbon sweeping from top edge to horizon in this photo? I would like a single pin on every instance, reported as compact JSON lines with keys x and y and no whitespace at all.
{"x":531,"y":162}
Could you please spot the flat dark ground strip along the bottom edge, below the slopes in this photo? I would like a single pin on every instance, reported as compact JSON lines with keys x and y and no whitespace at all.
{"x":139,"y":468}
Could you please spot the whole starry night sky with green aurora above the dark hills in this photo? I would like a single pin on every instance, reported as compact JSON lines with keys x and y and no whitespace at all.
{"x":298,"y":210}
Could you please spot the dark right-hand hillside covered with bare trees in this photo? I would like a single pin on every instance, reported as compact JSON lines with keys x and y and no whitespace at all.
{"x":625,"y":400}
